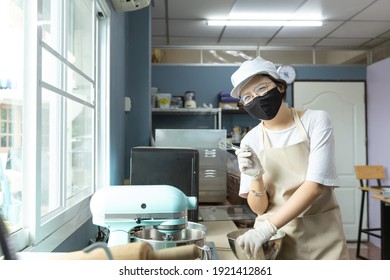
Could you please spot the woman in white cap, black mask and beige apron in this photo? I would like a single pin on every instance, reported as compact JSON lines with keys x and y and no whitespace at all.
{"x":288,"y":173}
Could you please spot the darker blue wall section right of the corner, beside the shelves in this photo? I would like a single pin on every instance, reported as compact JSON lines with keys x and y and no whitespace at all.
{"x":138,"y":84}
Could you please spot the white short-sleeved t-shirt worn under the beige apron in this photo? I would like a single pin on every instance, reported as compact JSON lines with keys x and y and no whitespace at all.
{"x":318,"y":127}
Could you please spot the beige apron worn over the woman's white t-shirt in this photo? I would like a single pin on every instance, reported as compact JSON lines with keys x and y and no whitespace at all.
{"x":317,"y":233}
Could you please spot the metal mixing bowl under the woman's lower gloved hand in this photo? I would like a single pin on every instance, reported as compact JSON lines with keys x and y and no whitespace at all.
{"x":269,"y":250}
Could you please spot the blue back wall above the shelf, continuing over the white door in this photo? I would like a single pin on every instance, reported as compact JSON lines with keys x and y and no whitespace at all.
{"x":208,"y":81}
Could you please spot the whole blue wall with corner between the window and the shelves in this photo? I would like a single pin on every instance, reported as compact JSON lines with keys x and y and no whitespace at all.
{"x":130,"y":77}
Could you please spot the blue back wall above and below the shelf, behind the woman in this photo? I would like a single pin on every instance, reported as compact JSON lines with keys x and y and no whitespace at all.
{"x":208,"y":81}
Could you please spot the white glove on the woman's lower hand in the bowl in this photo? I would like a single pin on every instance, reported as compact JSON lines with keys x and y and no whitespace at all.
{"x":253,"y":239}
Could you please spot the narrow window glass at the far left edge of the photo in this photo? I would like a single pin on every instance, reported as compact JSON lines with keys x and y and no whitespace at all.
{"x":11,"y":108}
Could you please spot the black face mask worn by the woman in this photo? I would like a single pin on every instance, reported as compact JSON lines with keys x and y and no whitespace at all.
{"x":265,"y":107}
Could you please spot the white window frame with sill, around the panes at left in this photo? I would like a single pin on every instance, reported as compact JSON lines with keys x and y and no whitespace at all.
{"x":35,"y":235}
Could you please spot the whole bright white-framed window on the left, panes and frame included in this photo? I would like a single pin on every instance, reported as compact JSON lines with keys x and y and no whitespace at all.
{"x":50,"y":104}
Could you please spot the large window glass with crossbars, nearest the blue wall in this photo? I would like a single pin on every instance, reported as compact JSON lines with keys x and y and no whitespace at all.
{"x":67,"y":109}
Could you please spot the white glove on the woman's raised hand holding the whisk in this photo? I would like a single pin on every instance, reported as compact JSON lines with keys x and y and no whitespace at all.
{"x":248,"y":162}
